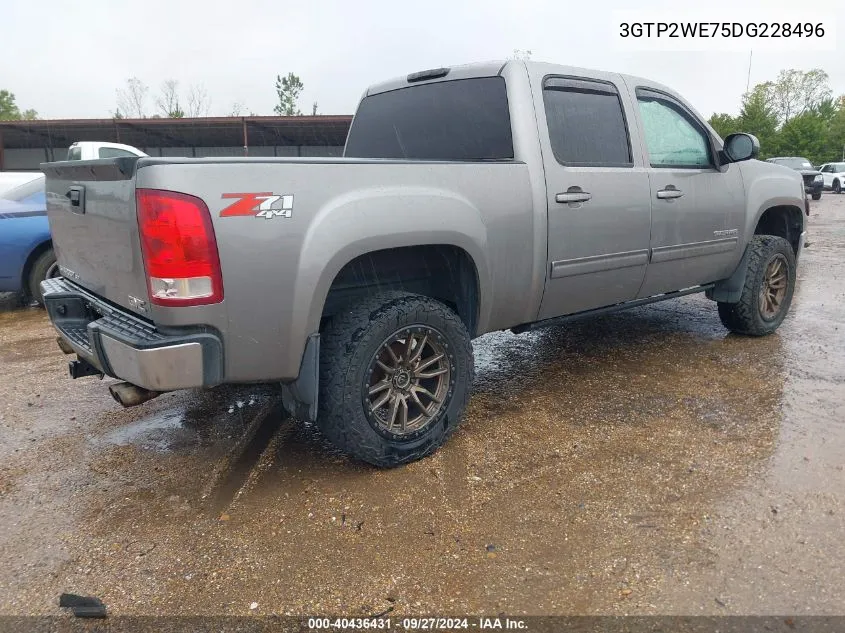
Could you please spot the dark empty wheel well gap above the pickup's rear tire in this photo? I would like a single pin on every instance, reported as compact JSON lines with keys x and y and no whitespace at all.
{"x":442,"y":272}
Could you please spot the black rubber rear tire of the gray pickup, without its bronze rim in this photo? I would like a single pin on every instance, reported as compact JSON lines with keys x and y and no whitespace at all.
{"x":348,"y":343}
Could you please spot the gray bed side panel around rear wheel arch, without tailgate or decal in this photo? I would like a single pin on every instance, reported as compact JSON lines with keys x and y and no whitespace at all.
{"x":277,"y":272}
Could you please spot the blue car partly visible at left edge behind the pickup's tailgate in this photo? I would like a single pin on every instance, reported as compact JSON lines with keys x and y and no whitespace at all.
{"x":26,"y":250}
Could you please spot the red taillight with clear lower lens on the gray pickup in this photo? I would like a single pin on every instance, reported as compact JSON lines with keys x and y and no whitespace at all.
{"x":180,"y":252}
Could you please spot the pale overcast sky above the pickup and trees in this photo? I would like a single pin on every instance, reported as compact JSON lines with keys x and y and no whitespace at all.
{"x":66,"y":59}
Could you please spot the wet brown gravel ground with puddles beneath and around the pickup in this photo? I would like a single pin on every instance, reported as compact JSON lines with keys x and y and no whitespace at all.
{"x":641,"y":463}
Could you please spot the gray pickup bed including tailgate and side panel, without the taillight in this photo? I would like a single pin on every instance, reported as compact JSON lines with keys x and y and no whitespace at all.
{"x":277,"y":269}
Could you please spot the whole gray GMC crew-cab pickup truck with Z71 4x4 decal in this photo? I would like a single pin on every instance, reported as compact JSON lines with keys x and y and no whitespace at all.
{"x":469,"y":199}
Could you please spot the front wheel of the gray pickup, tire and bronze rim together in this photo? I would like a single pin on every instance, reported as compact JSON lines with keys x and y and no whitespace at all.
{"x":767,"y":293}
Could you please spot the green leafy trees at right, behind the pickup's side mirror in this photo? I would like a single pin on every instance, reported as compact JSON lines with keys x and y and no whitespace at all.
{"x":792,"y":116}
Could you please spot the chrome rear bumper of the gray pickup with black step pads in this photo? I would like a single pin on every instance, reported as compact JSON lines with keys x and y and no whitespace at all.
{"x":123,"y":346}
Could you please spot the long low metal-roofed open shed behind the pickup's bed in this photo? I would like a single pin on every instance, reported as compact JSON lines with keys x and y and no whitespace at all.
{"x":26,"y":144}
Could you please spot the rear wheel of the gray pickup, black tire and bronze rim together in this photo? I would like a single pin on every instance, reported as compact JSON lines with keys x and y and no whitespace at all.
{"x":395,"y":376}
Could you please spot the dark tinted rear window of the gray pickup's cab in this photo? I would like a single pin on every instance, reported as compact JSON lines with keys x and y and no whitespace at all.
{"x":464,"y":119}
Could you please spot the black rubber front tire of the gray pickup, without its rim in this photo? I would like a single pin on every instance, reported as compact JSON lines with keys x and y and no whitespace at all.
{"x":745,"y":317}
